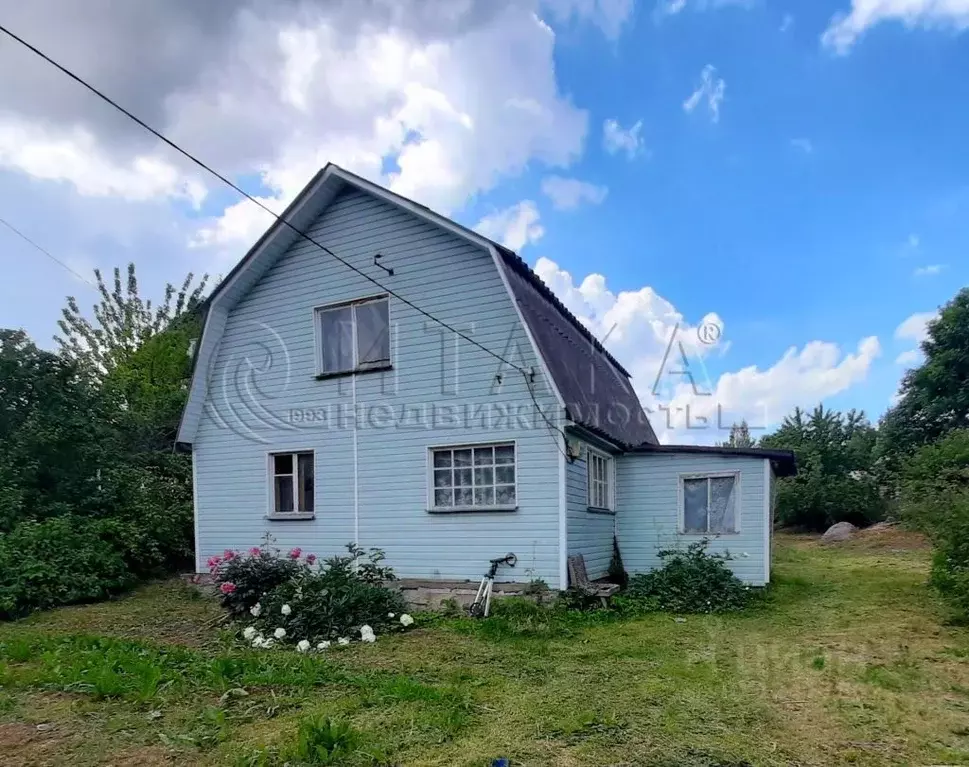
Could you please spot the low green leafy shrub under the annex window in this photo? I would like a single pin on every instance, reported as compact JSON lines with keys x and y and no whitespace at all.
{"x":690,"y":581}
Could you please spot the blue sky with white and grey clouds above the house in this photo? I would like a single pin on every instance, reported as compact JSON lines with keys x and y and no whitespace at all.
{"x":812,"y":195}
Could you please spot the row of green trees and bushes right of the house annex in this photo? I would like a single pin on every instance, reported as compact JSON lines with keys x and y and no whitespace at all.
{"x":913,"y":466}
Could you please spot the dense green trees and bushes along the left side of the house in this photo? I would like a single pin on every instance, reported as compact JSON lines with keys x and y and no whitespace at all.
{"x":93,"y":496}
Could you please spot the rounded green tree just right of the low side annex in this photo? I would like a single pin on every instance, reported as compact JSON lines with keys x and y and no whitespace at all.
{"x":835,"y":481}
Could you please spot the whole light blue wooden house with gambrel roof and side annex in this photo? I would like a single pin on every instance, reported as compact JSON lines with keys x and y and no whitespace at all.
{"x":374,"y":372}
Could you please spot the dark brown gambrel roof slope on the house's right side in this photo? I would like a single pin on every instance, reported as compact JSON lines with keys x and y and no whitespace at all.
{"x":595,"y":387}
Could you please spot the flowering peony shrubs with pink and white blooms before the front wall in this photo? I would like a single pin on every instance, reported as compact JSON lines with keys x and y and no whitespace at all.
{"x":310,"y":602}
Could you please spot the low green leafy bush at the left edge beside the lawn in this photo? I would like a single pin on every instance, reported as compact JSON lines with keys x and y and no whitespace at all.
{"x":61,"y":561}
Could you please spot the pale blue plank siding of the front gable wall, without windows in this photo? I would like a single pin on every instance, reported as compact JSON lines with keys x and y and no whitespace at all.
{"x":265,"y":369}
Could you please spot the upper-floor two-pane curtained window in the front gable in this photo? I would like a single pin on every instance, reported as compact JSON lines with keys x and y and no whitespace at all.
{"x":354,"y":337}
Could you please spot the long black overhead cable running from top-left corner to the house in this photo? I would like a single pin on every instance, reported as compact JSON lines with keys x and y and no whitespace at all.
{"x":185,"y":153}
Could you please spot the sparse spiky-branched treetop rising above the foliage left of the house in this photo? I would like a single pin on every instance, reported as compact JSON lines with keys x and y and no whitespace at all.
{"x":122,"y":321}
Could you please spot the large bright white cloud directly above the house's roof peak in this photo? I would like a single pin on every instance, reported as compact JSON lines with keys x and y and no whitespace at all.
{"x":385,"y":94}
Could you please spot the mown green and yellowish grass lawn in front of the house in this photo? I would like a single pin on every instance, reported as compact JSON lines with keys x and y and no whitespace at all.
{"x":851,"y":662}
